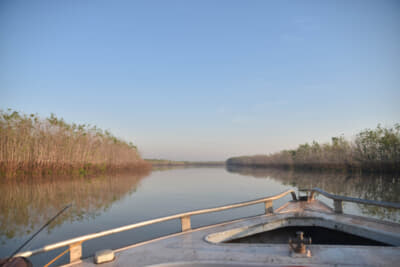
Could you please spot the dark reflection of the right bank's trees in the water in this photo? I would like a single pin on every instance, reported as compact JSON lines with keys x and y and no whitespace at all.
{"x":369,"y":186}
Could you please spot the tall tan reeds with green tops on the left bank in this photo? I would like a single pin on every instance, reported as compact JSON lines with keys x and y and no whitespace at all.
{"x":33,"y":146}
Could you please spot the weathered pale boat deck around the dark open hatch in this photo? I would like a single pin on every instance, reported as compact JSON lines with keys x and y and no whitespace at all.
{"x":206,"y":246}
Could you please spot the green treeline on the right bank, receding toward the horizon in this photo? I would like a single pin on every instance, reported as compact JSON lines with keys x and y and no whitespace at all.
{"x":376,"y":150}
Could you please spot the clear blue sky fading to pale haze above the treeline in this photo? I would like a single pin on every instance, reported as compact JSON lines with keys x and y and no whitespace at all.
{"x":205,"y":80}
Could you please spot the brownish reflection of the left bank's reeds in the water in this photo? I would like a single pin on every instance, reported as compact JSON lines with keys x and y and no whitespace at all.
{"x":26,"y":204}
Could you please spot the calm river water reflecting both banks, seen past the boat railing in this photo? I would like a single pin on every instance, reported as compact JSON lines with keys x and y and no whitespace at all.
{"x":105,"y":202}
